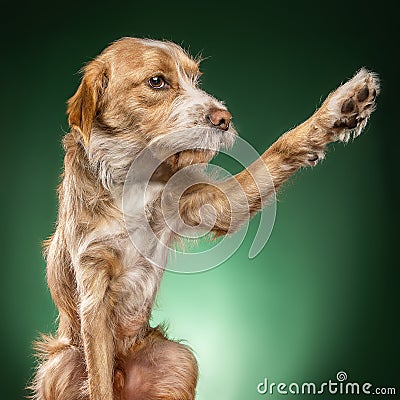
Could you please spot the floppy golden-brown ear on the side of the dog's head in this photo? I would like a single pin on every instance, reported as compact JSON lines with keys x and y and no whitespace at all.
{"x":83,"y":106}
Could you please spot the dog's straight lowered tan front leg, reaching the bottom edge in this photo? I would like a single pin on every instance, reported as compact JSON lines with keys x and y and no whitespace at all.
{"x":96,"y":272}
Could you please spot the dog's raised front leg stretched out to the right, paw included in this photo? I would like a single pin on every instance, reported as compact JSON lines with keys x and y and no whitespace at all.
{"x":343,"y":114}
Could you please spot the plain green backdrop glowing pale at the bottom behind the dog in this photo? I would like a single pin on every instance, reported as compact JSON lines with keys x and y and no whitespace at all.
{"x":323,"y":294}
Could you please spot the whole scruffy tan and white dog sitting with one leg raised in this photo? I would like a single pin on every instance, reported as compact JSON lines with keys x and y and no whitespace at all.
{"x":136,"y":92}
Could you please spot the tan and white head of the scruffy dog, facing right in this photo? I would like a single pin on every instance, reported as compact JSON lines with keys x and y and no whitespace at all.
{"x":139,"y":92}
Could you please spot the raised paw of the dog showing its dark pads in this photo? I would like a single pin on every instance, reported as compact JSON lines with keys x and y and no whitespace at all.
{"x":349,"y":107}
